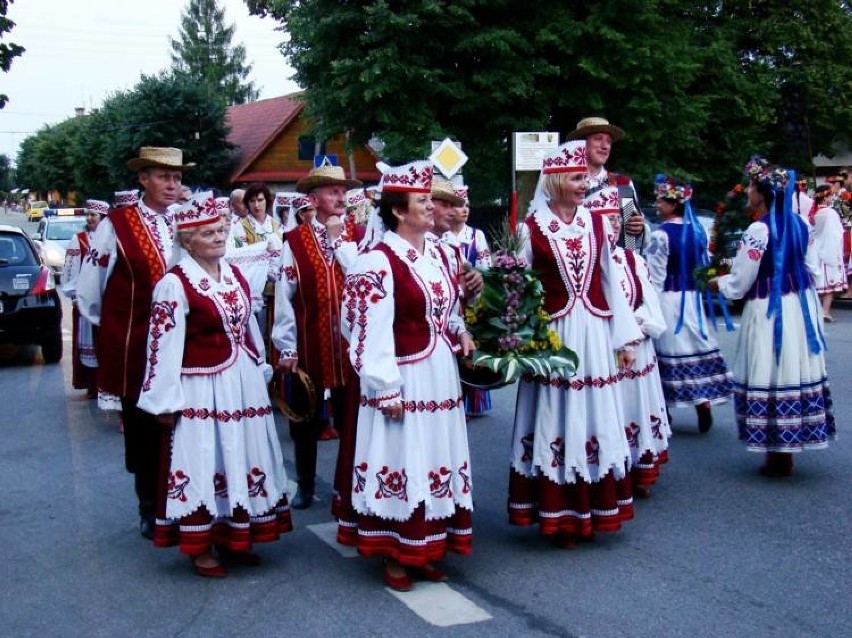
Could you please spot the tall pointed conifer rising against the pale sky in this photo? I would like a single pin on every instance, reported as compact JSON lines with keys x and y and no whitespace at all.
{"x":203,"y":51}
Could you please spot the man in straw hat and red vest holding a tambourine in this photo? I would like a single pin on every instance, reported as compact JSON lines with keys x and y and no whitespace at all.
{"x":314,"y":261}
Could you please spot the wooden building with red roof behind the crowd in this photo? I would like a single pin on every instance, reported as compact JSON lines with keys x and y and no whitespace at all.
{"x":274,"y":145}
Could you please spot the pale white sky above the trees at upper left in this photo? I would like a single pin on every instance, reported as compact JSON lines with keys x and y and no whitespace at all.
{"x":78,"y":52}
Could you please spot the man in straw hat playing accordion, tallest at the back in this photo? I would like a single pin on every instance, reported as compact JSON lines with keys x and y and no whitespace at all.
{"x":600,"y":135}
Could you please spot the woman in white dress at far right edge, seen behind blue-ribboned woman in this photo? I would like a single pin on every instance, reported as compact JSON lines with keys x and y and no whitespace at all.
{"x":830,"y":277}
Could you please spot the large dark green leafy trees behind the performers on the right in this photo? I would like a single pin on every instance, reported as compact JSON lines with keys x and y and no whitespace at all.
{"x":698,"y":86}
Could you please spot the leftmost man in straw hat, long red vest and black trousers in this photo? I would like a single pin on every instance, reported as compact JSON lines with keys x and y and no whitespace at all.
{"x":129,"y":255}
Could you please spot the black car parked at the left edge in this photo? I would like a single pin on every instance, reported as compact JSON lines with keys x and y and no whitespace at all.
{"x":30,"y":310}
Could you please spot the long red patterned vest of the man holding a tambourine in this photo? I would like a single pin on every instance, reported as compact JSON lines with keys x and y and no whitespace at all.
{"x":319,"y":289}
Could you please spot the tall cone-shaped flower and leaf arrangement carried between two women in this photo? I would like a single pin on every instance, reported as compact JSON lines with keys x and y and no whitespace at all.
{"x":508,"y":321}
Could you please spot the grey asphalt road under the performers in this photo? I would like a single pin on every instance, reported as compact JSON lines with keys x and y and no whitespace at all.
{"x":717,"y":550}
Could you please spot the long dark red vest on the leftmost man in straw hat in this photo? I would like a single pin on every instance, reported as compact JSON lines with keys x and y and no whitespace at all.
{"x":126,"y":308}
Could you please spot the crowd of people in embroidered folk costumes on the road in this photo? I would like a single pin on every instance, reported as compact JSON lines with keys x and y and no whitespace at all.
{"x":195,"y":315}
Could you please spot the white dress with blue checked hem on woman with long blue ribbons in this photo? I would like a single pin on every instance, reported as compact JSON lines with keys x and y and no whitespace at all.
{"x":782,"y":403}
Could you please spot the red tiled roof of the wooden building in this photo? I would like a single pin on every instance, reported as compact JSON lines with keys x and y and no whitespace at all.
{"x":255,"y":125}
